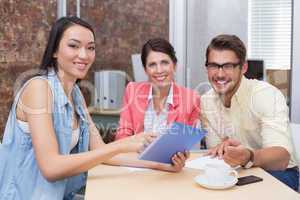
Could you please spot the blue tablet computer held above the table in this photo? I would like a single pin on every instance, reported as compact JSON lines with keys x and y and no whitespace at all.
{"x":178,"y":138}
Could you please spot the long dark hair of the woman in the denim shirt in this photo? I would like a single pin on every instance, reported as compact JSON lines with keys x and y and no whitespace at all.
{"x":55,"y":36}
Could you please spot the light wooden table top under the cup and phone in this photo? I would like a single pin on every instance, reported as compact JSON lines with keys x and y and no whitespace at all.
{"x":110,"y":182}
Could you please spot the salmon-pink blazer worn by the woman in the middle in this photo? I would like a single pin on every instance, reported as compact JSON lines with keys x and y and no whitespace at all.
{"x":185,"y":108}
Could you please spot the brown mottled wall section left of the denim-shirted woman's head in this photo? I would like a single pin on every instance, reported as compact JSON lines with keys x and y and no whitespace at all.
{"x":24,"y":27}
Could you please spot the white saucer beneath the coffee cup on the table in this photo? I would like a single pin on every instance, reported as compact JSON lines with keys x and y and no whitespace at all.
{"x":230,"y":182}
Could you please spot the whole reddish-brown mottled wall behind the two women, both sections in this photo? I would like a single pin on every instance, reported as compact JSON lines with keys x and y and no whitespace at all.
{"x":121,"y":26}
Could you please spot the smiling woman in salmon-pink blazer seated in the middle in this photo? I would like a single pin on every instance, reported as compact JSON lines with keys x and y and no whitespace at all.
{"x":149,"y":107}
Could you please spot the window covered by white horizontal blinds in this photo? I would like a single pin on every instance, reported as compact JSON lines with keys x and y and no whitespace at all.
{"x":270,"y":32}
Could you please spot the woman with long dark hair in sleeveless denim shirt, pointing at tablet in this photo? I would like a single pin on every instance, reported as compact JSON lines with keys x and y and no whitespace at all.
{"x":50,"y":140}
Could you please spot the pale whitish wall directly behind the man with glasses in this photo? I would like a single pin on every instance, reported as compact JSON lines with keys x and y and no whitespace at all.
{"x":206,"y":19}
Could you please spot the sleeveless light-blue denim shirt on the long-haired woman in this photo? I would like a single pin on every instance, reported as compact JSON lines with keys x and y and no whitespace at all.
{"x":20,"y":176}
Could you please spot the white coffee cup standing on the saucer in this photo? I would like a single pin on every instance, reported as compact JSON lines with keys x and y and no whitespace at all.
{"x":218,"y":173}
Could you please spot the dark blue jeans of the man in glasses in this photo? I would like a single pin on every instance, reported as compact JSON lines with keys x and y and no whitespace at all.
{"x":290,"y":177}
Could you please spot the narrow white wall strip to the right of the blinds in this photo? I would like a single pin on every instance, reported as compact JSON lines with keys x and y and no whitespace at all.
{"x":295,"y":80}
